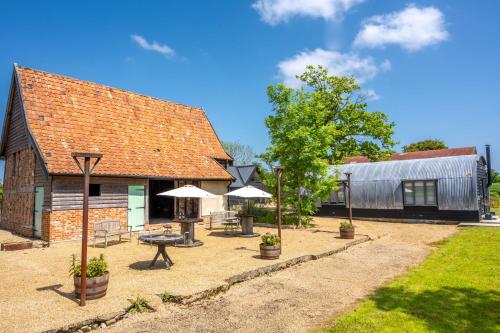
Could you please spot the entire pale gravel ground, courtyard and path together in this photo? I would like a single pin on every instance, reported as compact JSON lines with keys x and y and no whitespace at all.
{"x":36,"y":291}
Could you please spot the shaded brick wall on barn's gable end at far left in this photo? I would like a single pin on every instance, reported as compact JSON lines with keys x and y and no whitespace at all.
{"x":19,"y":197}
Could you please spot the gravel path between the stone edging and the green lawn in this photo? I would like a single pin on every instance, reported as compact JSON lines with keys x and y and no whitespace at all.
{"x":303,"y":297}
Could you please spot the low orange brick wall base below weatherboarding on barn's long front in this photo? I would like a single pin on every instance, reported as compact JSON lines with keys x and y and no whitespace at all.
{"x":67,"y":224}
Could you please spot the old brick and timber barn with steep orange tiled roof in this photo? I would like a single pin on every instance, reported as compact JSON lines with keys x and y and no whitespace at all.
{"x":149,"y":145}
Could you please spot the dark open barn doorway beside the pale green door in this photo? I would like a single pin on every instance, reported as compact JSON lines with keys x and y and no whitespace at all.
{"x":161,"y":208}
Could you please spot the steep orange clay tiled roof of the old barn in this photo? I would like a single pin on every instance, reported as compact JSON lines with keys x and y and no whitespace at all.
{"x":137,"y":135}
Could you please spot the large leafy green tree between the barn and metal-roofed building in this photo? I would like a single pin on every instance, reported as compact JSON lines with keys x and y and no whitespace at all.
{"x":316,"y":126}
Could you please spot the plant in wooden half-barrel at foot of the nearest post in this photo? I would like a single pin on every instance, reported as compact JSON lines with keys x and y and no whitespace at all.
{"x":97,"y":277}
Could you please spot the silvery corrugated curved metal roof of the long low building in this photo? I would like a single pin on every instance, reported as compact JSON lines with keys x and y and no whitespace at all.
{"x":378,"y":185}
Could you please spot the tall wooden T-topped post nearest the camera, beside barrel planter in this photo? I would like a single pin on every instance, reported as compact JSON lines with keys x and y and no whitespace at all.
{"x":87,"y":170}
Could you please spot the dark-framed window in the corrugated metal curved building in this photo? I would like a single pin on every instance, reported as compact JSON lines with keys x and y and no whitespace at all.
{"x":420,"y":193}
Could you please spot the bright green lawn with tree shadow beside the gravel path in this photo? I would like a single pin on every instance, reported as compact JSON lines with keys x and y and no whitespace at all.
{"x":456,"y":289}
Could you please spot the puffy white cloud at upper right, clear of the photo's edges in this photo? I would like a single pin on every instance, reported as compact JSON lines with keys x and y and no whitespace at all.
{"x":412,"y":28}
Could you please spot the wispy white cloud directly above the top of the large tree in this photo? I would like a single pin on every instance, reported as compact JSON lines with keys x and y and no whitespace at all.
{"x":340,"y":64}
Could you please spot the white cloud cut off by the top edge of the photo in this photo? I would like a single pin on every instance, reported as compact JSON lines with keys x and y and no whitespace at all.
{"x":277,"y":11}
